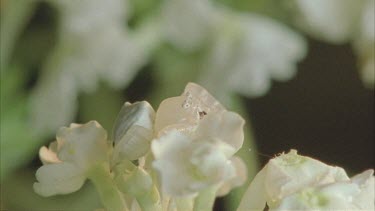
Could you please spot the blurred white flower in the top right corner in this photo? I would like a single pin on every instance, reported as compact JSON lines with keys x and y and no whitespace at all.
{"x":340,"y":21}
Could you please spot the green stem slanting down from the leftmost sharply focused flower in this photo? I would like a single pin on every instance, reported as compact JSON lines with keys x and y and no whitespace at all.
{"x":108,"y":192}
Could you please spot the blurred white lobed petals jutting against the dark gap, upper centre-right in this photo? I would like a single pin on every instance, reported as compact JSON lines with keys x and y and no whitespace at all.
{"x":268,"y":50}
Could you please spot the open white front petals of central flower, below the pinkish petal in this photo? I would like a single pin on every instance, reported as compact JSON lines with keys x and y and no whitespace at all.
{"x":196,"y":163}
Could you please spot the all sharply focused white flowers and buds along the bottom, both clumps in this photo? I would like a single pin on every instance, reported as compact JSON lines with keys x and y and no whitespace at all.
{"x":182,"y":156}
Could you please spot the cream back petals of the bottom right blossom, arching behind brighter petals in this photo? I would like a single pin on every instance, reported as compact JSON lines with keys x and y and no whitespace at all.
{"x":286,"y":175}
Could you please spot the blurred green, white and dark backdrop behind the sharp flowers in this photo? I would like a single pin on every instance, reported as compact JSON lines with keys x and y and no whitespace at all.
{"x":301,"y":72}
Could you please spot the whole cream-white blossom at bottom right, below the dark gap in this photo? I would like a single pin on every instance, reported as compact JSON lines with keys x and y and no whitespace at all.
{"x":291,"y":181}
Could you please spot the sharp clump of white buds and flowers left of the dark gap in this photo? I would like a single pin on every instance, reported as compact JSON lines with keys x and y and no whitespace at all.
{"x":178,"y":158}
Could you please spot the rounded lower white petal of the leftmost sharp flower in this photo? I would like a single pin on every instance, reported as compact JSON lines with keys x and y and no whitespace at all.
{"x":62,"y":178}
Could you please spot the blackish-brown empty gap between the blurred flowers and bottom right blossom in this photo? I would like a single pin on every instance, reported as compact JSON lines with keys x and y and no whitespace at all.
{"x":324,"y":112}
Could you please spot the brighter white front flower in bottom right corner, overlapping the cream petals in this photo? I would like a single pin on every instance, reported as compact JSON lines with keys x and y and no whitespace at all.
{"x":356,"y":194}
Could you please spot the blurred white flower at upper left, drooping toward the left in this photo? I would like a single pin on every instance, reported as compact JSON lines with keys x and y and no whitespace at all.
{"x":93,"y":45}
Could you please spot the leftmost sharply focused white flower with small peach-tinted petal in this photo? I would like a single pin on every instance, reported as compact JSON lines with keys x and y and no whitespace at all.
{"x":68,"y":159}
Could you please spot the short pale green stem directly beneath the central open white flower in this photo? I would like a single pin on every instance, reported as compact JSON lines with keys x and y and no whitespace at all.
{"x":205,"y":199}
